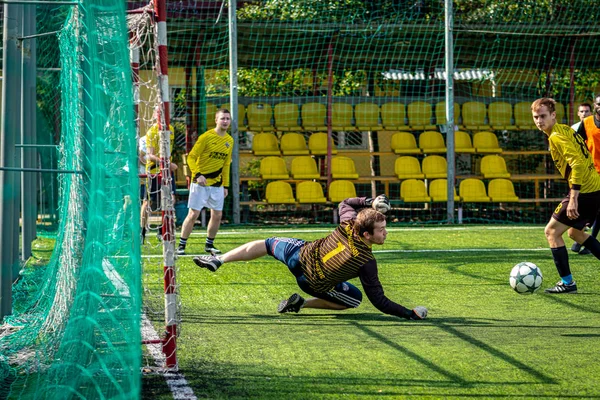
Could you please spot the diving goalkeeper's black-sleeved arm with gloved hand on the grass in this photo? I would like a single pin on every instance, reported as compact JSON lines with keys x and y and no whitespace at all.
{"x":372,"y":286}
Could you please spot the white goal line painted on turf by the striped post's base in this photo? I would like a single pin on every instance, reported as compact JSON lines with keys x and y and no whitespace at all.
{"x":176,"y":381}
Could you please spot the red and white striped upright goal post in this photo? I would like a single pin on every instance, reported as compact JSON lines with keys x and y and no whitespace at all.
{"x":168,"y":221}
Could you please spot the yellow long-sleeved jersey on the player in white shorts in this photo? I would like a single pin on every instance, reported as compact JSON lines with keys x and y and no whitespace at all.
{"x":211,"y":158}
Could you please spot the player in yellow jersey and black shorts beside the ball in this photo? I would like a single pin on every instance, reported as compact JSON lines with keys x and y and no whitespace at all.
{"x":575,"y":163}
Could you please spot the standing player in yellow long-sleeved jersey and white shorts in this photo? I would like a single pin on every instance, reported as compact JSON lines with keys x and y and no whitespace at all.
{"x":209,"y":162}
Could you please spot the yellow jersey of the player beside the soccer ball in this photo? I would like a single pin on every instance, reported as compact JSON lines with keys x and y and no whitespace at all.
{"x":573,"y":159}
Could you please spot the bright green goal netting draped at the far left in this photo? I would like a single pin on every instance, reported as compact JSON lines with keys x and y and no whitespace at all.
{"x":74,"y":331}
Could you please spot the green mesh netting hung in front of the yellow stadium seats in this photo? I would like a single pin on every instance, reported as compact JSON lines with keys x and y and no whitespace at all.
{"x":377,"y":68}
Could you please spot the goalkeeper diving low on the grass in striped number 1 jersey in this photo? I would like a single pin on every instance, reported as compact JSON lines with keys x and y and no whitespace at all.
{"x":323,"y":267}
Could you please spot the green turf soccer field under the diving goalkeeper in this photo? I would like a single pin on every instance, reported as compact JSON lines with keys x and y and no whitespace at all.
{"x":481,"y":339}
